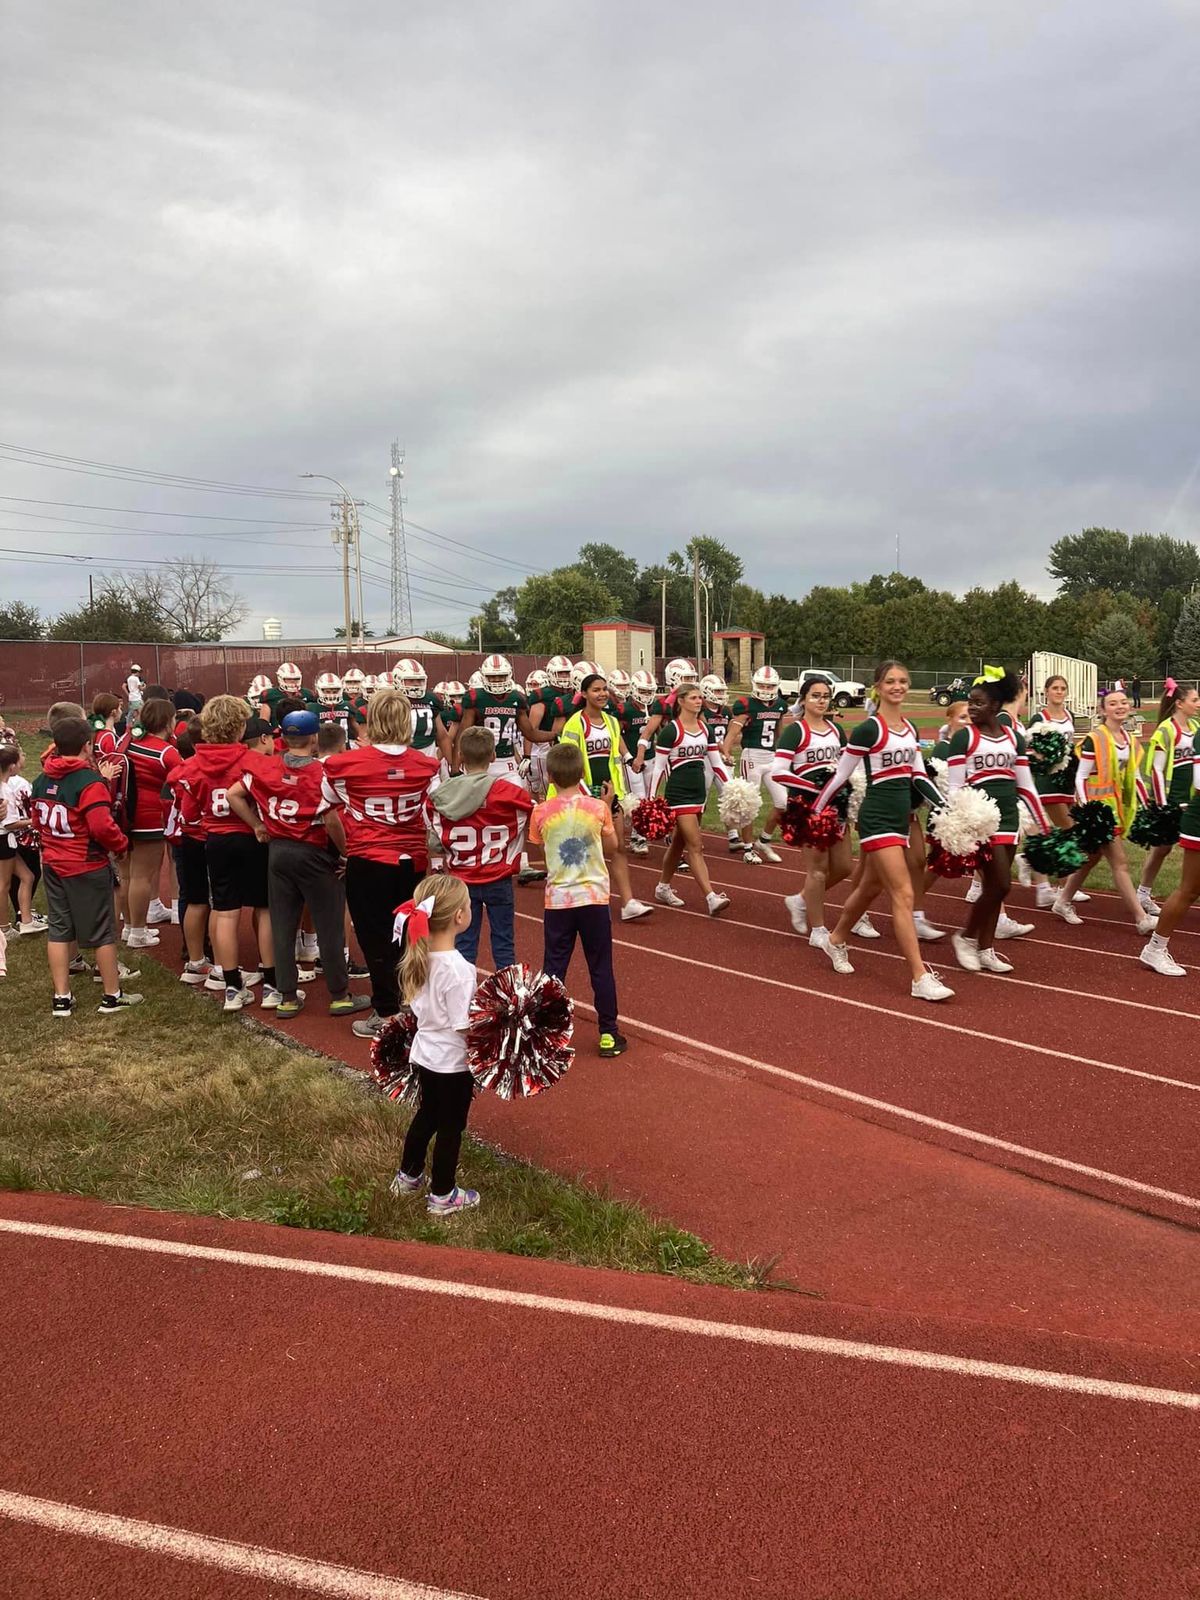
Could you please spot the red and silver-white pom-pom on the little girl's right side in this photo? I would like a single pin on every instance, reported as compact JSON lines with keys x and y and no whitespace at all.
{"x":519,"y":1036}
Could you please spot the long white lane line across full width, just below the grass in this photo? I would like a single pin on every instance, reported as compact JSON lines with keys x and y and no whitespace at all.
{"x":666,"y":1322}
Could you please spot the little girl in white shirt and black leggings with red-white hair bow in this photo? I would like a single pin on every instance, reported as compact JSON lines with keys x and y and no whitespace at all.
{"x":439,"y":986}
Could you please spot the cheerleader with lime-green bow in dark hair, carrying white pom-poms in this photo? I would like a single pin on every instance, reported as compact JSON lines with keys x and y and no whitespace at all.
{"x":991,"y":756}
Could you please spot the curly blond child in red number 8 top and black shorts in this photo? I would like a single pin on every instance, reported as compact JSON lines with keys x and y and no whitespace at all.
{"x":238,"y":863}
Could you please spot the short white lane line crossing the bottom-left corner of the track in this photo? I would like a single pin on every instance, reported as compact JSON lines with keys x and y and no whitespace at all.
{"x":247,"y":1561}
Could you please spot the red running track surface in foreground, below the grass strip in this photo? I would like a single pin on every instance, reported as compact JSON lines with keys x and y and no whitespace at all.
{"x":425,"y":1434}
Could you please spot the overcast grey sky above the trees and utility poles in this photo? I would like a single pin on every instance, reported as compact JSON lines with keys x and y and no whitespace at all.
{"x":804,"y":278}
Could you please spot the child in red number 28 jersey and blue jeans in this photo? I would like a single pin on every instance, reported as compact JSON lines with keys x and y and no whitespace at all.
{"x":482,"y":823}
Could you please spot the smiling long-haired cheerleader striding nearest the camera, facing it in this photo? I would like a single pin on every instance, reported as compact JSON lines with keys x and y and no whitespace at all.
{"x":890,"y":753}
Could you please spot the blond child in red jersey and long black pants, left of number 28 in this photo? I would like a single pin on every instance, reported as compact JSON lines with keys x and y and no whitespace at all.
{"x":382,"y":791}
